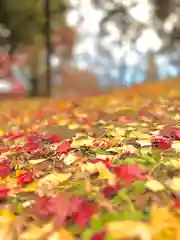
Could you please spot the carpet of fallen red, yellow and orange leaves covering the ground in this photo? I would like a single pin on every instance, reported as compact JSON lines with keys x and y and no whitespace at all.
{"x":102,"y":168}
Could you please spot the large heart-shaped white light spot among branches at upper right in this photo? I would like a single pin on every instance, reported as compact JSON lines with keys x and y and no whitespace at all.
{"x":149,"y":40}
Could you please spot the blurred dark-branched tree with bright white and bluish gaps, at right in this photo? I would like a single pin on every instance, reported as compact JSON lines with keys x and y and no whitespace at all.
{"x":140,"y":35}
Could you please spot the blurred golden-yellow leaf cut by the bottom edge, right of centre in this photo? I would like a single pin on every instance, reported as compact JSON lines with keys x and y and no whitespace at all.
{"x":128,"y":229}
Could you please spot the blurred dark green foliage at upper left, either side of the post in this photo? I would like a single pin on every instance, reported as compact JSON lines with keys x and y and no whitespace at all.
{"x":26,"y":18}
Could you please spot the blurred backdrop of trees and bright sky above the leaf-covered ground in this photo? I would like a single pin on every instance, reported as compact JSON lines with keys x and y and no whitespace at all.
{"x":63,"y":48}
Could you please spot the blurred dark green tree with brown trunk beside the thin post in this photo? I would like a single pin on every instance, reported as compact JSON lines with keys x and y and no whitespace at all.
{"x":27,"y":24}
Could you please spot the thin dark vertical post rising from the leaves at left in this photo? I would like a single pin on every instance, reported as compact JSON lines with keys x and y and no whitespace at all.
{"x":48,"y":45}
